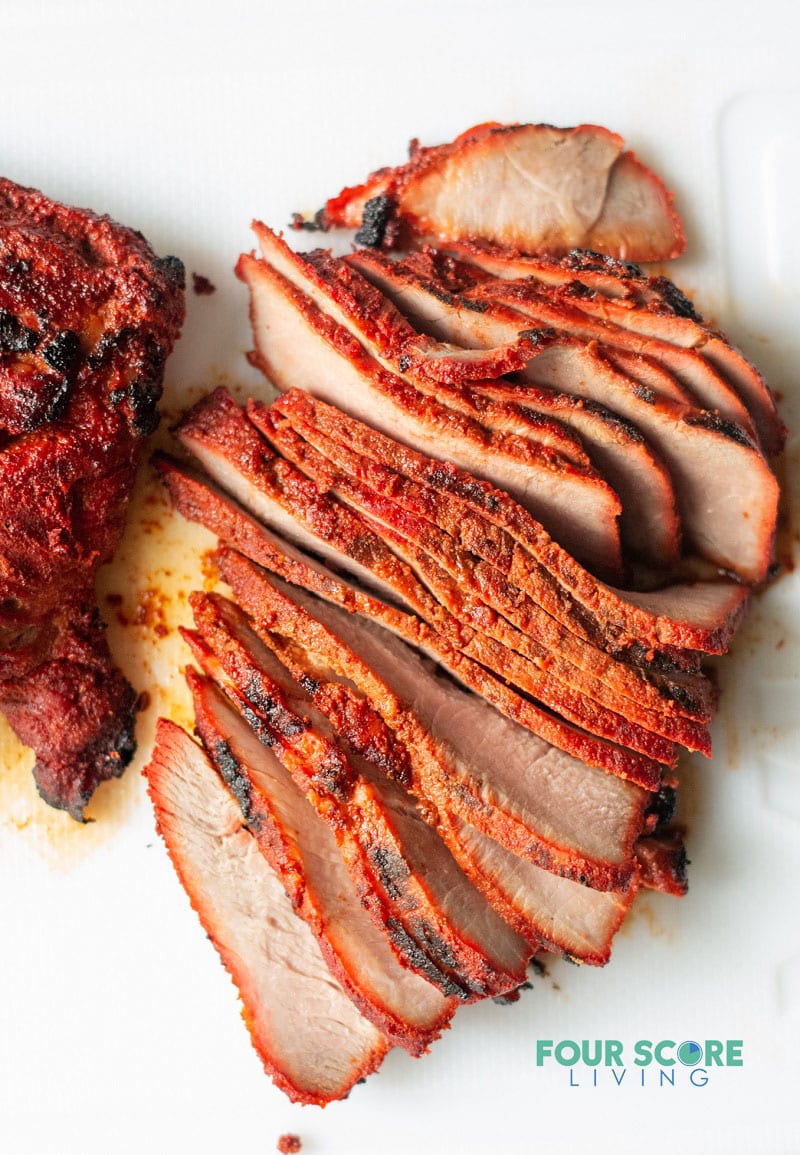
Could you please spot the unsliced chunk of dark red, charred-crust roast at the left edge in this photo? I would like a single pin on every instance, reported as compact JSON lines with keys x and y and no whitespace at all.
{"x":88,"y":316}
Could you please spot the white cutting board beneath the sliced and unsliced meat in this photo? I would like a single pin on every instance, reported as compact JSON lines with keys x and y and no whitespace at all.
{"x":119,"y":1031}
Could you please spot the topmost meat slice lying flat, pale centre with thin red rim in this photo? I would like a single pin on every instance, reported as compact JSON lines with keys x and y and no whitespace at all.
{"x":533,"y":187}
